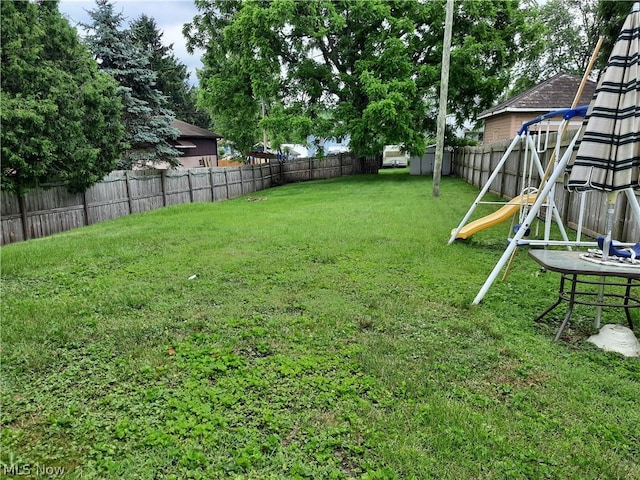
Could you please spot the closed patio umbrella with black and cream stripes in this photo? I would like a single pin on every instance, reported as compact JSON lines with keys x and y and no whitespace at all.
{"x":608,"y":154}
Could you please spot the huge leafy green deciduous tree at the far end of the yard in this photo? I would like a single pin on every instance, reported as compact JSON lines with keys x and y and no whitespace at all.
{"x":367,"y":69}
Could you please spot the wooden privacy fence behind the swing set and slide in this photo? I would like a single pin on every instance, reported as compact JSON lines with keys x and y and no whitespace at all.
{"x":475,"y":165}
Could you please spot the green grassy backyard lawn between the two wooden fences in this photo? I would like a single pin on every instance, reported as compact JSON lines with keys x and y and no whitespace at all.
{"x":328,"y":333}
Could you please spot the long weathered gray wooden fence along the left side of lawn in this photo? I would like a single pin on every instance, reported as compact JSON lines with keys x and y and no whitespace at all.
{"x":46,"y":211}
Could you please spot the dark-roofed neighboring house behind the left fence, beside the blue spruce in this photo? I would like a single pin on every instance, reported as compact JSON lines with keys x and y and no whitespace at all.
{"x":199,"y":147}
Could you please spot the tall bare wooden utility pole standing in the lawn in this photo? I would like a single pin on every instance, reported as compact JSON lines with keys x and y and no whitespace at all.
{"x":444,"y":89}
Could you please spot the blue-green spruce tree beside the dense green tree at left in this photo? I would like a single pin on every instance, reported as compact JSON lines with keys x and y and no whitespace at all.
{"x":145,"y":109}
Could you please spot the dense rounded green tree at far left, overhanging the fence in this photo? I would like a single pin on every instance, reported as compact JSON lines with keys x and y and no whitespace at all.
{"x":60,"y":115}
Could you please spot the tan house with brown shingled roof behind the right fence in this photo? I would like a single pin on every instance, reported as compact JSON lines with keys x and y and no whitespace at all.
{"x":504,"y":120}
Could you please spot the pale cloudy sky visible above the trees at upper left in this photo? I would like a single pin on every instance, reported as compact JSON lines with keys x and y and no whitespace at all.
{"x":169,"y":15}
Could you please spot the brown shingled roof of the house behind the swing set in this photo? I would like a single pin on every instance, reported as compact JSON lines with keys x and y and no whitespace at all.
{"x":556,"y":93}
